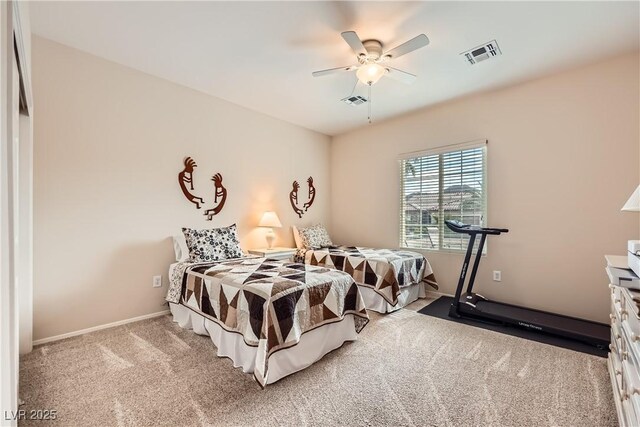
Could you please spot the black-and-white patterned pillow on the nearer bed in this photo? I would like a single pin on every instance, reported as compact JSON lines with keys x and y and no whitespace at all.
{"x":212,"y":245}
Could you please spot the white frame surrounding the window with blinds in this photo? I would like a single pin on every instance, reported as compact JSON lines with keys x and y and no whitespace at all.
{"x":483,"y":143}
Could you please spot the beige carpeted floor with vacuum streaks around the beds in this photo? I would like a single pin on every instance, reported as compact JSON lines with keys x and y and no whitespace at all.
{"x":406,"y":369}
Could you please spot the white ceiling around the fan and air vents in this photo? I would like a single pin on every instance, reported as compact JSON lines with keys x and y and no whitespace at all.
{"x":261,"y":54}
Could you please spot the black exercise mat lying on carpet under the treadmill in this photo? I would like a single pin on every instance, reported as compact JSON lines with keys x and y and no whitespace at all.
{"x":440,"y":309}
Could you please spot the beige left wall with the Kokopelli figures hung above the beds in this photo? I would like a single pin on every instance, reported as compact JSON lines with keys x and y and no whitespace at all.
{"x":109,"y":143}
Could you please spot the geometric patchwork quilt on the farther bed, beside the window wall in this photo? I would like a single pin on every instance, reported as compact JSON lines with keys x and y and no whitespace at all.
{"x":384,"y":270}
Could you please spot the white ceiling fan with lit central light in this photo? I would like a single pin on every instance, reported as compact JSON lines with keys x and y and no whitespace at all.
{"x":372,"y":59}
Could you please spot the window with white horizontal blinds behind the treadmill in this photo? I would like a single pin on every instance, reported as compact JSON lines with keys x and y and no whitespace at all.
{"x":448,"y":183}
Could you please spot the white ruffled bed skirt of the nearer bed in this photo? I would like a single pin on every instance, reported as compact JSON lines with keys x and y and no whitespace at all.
{"x":312,"y":347}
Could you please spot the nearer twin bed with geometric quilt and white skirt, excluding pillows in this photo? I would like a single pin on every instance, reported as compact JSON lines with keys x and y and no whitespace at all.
{"x":270,"y":317}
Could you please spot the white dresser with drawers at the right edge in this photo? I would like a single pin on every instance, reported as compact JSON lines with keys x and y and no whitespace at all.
{"x":624,"y":355}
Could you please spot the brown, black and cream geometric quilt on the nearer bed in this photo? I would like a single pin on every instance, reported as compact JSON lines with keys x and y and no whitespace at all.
{"x":271,"y":303}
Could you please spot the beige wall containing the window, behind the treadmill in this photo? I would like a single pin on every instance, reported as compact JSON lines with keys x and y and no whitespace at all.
{"x":563,"y":158}
